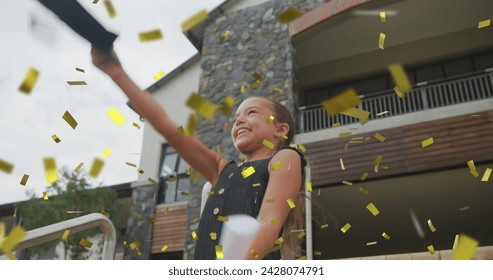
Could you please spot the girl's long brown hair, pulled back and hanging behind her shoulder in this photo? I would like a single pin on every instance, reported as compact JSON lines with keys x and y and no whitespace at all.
{"x":295,"y":222}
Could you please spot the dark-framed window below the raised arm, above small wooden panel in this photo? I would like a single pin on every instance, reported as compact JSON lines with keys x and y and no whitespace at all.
{"x":174,"y":182}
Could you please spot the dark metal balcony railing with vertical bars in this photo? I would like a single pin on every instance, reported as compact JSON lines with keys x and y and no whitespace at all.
{"x":423,"y":97}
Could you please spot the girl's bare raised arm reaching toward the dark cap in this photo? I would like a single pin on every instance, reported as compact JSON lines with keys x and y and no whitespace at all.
{"x":205,"y":161}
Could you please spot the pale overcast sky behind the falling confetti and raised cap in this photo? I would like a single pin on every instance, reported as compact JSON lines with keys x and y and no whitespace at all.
{"x":33,"y":37}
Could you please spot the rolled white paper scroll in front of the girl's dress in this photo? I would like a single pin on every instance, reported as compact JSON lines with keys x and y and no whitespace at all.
{"x":237,"y":236}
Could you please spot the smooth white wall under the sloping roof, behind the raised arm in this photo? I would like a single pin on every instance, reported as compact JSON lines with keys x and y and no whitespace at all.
{"x":171,"y":96}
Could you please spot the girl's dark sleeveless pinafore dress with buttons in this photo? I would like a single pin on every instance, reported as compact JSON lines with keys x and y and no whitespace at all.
{"x":233,"y":194}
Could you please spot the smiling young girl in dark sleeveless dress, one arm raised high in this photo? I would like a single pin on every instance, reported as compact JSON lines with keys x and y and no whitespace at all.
{"x":278,"y":176}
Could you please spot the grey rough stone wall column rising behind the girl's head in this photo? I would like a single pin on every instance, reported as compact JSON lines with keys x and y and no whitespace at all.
{"x":256,"y":43}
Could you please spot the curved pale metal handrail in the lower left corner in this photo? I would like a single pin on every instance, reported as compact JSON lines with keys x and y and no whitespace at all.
{"x":55,"y":231}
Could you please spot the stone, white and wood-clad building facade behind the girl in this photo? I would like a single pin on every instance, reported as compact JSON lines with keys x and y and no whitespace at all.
{"x":334,"y":46}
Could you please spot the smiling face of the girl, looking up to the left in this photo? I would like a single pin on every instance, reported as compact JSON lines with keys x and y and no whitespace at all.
{"x":250,"y":126}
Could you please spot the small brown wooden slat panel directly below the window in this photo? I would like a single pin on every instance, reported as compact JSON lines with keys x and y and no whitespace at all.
{"x":170,"y":229}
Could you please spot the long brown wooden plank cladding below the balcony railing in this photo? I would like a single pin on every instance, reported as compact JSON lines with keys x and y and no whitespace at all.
{"x":457,"y":140}
